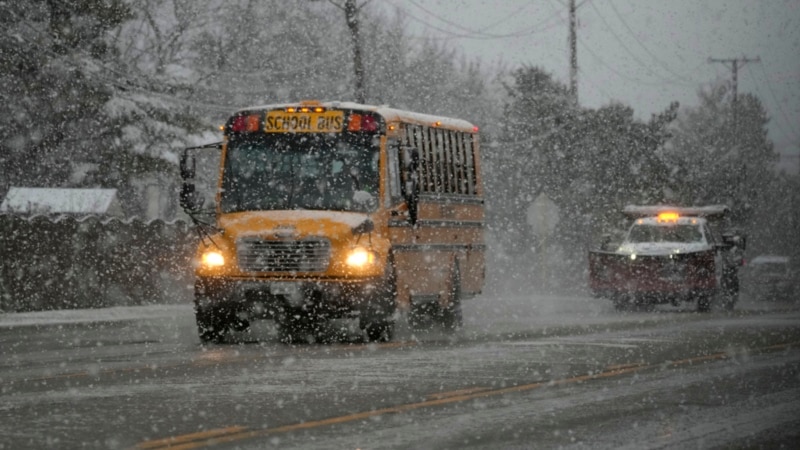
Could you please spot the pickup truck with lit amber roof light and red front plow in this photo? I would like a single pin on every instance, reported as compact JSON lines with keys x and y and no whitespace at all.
{"x":669,"y":255}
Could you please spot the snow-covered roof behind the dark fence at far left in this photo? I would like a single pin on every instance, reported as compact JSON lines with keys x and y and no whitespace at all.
{"x":59,"y":201}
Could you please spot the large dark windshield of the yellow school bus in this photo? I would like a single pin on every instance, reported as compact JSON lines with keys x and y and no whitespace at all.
{"x":300,"y":171}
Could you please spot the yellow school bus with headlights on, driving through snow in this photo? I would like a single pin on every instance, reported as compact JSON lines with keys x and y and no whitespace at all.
{"x":329,"y":210}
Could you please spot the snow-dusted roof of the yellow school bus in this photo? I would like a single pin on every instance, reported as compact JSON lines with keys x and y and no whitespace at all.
{"x":389,"y":114}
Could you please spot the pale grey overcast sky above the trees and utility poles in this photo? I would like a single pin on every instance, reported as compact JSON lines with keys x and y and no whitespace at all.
{"x":644,"y":53}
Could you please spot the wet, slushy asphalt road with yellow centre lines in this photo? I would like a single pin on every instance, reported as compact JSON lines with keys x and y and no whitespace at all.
{"x":524,"y":372}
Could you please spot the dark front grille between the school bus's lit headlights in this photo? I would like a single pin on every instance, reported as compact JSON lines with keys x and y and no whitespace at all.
{"x":260,"y":255}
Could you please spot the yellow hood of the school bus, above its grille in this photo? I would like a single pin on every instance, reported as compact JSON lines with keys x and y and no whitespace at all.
{"x":292,"y":224}
